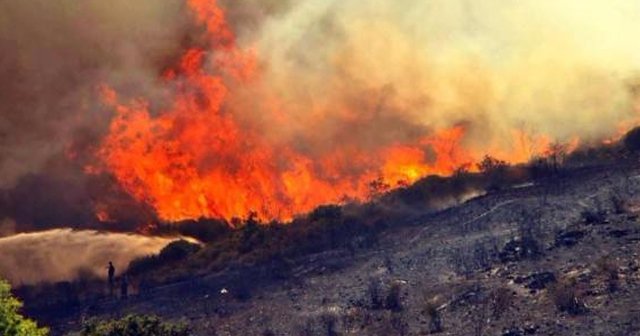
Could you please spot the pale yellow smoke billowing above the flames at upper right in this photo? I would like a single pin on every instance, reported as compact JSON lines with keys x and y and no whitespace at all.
{"x":380,"y":72}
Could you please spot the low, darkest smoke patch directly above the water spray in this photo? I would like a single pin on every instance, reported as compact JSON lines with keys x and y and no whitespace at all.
{"x":63,"y":196}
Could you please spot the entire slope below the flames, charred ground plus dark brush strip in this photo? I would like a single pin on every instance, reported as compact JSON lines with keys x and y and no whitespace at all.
{"x":550,"y":249}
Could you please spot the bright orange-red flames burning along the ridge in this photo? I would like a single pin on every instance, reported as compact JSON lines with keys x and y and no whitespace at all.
{"x":196,"y":158}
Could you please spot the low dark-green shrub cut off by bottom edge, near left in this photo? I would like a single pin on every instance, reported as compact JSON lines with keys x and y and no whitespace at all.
{"x":139,"y":325}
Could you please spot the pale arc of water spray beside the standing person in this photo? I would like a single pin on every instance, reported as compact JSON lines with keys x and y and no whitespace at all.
{"x":63,"y":254}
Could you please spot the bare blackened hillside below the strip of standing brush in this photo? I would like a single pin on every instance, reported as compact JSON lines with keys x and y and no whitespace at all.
{"x":554,"y":258}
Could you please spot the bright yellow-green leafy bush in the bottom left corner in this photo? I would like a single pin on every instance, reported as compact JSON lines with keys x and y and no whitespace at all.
{"x":11,"y":322}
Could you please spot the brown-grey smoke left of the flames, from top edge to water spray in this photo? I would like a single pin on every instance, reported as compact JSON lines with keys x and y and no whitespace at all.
{"x":54,"y":56}
